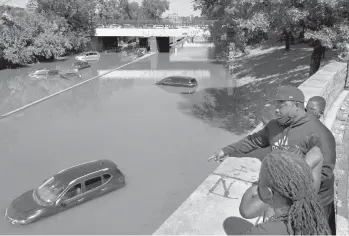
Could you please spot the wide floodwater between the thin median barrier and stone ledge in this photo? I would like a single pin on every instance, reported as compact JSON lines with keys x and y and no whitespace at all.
{"x":159,"y":137}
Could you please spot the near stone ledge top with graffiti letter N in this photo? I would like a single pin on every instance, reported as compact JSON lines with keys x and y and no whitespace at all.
{"x":215,"y":200}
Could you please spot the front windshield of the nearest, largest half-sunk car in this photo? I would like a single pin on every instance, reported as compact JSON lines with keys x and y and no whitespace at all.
{"x":49,"y":191}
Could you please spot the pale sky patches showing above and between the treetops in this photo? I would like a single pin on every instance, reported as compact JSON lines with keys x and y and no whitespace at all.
{"x":182,"y":7}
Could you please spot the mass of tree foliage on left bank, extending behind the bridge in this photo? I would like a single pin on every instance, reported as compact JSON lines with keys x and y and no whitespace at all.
{"x":48,"y":29}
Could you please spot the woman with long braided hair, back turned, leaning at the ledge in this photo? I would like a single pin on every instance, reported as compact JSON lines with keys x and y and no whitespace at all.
{"x":286,"y":184}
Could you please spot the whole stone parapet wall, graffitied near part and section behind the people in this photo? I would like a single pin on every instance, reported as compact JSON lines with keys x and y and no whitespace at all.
{"x":217,"y":199}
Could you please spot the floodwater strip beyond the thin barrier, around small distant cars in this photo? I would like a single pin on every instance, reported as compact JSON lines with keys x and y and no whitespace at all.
{"x":18,"y":89}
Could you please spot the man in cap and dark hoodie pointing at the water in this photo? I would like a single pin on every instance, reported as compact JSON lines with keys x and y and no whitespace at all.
{"x":296,"y":131}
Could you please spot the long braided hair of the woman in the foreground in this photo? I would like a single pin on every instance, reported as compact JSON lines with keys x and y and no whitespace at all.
{"x":289,"y":175}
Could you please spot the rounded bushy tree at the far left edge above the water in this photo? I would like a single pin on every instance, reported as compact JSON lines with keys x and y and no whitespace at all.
{"x":26,"y":37}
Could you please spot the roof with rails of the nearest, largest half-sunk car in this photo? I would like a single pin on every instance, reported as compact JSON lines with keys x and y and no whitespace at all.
{"x":74,"y":172}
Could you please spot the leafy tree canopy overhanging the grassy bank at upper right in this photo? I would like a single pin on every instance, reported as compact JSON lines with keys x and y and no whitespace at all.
{"x":321,"y":23}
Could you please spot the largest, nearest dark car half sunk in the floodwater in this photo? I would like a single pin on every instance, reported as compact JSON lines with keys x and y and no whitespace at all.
{"x":66,"y":189}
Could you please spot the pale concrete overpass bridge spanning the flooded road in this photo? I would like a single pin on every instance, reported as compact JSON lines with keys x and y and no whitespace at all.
{"x":157,"y":39}
